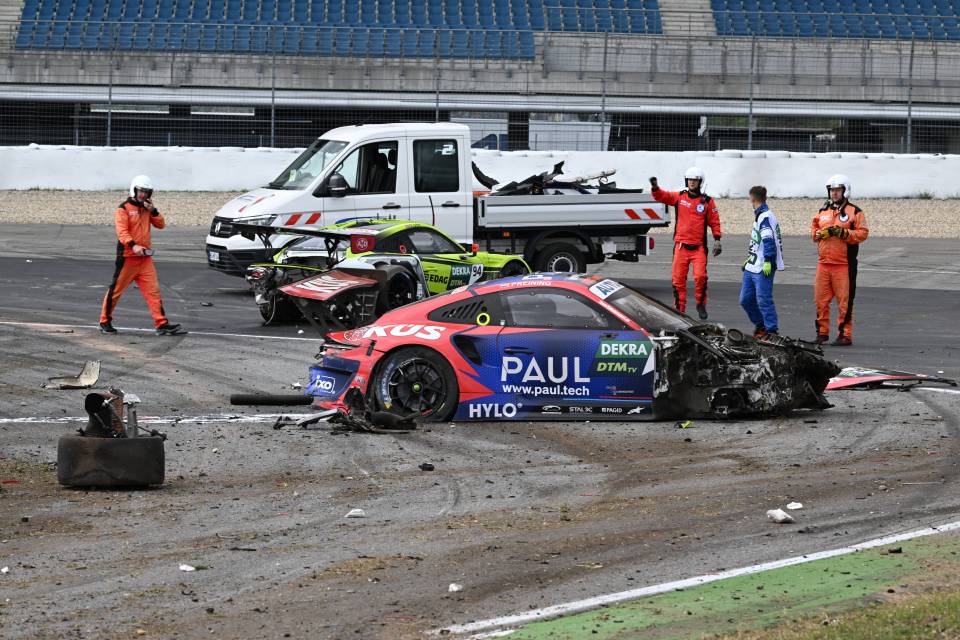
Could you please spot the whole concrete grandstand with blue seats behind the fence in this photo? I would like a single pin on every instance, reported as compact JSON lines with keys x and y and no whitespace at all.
{"x":804,"y":75}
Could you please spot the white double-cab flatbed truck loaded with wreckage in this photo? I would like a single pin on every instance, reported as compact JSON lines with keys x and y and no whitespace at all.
{"x":424,"y":172}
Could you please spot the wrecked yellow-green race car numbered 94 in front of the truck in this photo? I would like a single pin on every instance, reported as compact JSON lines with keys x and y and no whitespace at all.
{"x":346,"y":275}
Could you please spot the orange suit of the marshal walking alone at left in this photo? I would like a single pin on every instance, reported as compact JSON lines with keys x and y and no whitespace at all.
{"x":133,"y":223}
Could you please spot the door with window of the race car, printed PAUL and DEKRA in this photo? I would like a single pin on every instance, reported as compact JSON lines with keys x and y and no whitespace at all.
{"x":562,"y":354}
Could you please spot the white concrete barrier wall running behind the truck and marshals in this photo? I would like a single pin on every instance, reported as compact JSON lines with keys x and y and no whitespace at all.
{"x":729,"y":173}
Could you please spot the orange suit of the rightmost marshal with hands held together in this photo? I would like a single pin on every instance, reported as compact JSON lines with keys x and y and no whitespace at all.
{"x":837,"y":264}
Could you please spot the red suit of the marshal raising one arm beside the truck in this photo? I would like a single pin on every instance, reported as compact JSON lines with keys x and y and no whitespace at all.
{"x":694,"y":215}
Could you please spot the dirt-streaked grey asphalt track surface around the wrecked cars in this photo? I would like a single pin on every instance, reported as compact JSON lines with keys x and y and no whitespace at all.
{"x":523,"y":516}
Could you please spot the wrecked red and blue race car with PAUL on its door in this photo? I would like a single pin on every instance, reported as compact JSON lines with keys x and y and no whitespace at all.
{"x":561,"y":346}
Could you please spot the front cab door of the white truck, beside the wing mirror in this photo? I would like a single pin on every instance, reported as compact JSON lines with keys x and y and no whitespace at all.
{"x":372,"y":172}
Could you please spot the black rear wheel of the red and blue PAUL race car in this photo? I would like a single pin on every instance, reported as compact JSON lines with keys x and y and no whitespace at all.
{"x":415,"y":381}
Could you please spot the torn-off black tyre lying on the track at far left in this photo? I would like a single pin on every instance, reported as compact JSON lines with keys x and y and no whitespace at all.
{"x":110,"y":462}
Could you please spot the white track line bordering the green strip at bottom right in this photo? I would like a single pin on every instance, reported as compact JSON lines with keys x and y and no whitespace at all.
{"x":633,"y":594}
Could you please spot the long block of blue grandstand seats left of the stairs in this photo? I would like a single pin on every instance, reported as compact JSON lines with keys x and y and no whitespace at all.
{"x":431,"y":28}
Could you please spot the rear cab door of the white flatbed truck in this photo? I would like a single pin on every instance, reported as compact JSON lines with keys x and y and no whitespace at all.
{"x":439,"y":195}
